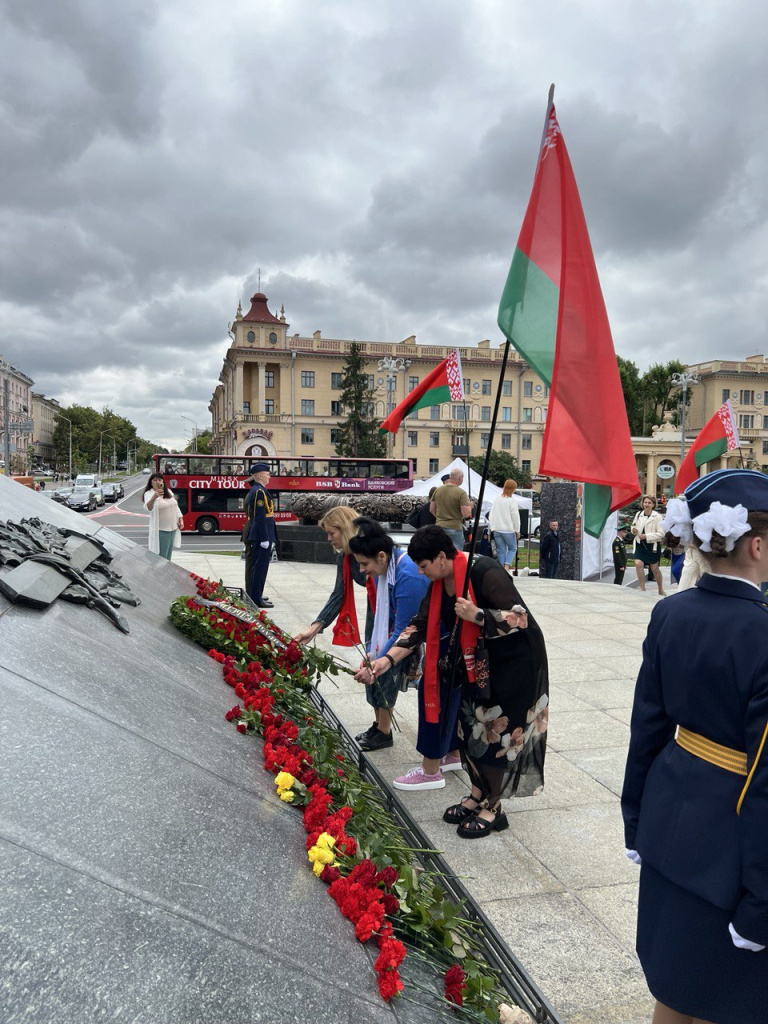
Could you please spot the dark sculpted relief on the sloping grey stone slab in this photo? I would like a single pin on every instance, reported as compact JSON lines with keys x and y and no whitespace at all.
{"x":40,"y":564}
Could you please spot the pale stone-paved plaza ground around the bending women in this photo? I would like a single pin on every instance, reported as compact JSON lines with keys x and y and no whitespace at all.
{"x":557,"y":884}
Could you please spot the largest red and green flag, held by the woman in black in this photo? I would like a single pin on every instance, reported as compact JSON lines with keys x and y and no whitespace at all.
{"x":553,"y":313}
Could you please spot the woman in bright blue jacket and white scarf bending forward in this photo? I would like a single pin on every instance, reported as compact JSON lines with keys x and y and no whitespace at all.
{"x":399,"y":591}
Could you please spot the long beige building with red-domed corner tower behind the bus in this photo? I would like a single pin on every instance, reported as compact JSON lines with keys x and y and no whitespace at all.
{"x":279,"y":396}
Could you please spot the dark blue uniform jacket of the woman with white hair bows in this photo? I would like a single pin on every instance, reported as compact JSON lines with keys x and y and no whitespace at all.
{"x":705,"y":668}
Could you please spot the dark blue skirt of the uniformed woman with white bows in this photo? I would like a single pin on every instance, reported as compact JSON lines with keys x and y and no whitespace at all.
{"x":690,"y":961}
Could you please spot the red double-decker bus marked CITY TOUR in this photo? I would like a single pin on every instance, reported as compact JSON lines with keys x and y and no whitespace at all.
{"x":211,"y":490}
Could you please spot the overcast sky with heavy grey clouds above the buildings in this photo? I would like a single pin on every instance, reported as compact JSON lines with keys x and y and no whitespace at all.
{"x":375,"y":160}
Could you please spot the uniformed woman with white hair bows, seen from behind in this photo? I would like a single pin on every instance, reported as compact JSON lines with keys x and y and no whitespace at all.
{"x":696,"y":790}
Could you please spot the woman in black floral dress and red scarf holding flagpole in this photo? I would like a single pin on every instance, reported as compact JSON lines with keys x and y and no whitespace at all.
{"x":503,"y":718}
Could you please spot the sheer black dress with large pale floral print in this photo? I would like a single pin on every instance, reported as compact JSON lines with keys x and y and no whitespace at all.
{"x":503,"y":738}
